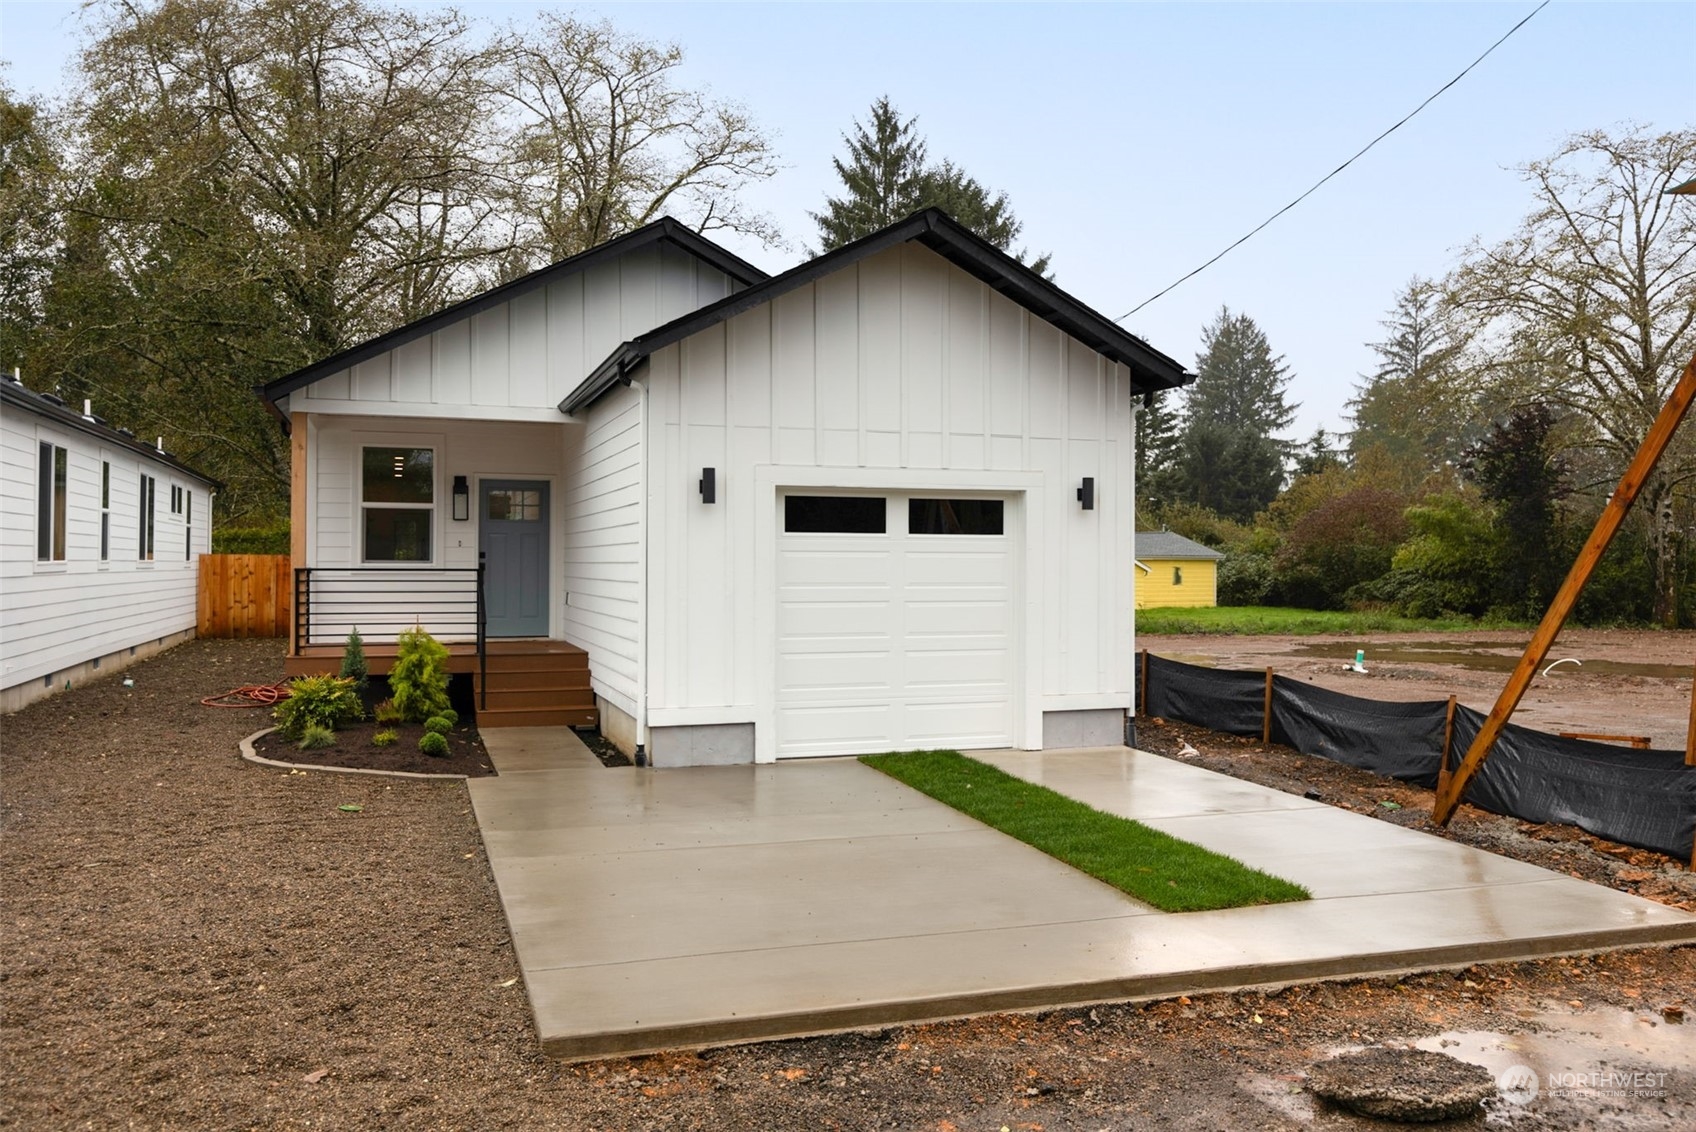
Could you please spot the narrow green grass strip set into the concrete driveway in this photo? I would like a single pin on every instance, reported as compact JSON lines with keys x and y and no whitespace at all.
{"x":1152,"y":866}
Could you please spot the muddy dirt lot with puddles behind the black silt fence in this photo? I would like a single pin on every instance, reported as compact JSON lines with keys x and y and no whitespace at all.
{"x":1629,"y":681}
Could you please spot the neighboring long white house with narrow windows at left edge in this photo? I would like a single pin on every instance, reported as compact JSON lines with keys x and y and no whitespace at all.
{"x":99,"y":546}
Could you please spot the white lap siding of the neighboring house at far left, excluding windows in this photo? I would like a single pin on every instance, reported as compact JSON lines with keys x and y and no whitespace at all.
{"x":59,"y":615}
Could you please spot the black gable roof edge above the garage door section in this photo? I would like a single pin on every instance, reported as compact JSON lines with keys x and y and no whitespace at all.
{"x":947,"y":238}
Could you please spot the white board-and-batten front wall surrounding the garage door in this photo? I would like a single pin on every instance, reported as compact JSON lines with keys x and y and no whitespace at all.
{"x":896,"y":373}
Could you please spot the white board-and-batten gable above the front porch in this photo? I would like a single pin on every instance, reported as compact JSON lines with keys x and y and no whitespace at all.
{"x":520,"y":359}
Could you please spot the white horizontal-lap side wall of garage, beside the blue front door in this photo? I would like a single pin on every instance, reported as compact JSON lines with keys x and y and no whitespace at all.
{"x":605,"y":546}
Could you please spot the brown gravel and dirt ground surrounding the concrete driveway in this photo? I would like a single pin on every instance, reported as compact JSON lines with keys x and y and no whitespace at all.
{"x":199,"y":943}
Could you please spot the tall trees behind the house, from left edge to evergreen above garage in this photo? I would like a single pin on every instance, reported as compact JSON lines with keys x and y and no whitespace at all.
{"x":233,"y":189}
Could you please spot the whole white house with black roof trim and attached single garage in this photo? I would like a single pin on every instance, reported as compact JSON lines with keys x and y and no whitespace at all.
{"x":879,"y":502}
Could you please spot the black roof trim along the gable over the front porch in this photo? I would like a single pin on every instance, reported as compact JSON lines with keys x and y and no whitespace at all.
{"x":662,"y":230}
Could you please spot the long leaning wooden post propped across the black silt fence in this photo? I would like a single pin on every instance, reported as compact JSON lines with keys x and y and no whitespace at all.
{"x":1643,"y":464}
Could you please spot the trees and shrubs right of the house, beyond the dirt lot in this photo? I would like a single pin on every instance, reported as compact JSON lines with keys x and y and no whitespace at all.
{"x":1505,"y":405}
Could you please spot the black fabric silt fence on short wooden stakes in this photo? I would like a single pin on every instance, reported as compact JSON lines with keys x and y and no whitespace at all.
{"x":1644,"y":799}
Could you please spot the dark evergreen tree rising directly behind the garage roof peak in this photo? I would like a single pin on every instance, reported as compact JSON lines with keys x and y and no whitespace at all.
{"x":888,"y":179}
